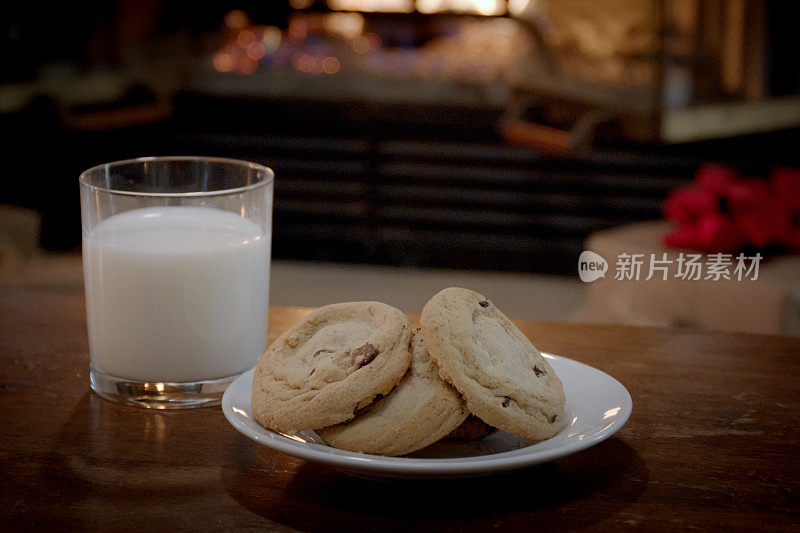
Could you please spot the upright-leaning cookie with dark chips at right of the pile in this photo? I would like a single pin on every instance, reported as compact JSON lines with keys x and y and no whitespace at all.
{"x":503,"y":378}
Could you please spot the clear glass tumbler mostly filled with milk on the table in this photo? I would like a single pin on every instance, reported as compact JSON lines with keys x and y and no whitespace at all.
{"x":176,"y":255}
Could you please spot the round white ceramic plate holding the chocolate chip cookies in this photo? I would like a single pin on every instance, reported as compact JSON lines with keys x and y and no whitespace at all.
{"x":597,"y":407}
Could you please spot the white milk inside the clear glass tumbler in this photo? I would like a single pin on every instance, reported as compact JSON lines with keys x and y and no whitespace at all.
{"x":176,"y":294}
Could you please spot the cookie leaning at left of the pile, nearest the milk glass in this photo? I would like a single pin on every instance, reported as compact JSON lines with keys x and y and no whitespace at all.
{"x":329,"y":365}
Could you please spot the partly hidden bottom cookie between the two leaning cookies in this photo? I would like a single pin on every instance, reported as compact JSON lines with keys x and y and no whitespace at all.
{"x":419,"y":411}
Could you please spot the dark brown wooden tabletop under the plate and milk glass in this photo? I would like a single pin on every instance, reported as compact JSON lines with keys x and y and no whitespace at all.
{"x":713,"y":443}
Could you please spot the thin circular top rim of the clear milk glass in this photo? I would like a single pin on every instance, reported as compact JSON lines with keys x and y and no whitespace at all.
{"x":268,"y":179}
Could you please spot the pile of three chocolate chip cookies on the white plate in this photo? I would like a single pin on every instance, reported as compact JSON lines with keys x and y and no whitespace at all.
{"x":359,"y":376}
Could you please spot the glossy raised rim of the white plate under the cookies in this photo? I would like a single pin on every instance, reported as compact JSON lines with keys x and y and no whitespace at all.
{"x":425,"y":466}
